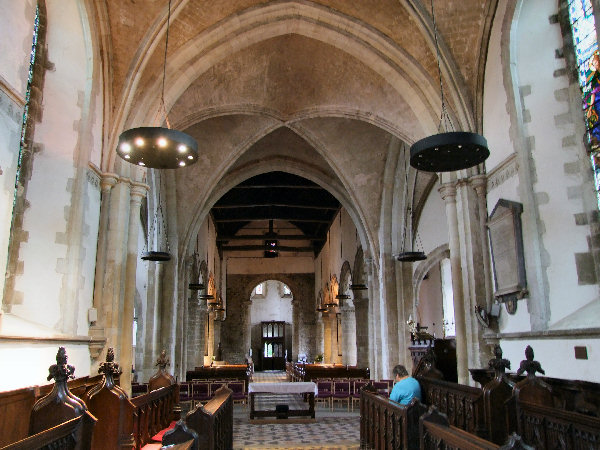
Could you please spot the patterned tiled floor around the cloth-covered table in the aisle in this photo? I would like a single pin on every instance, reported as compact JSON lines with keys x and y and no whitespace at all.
{"x":337,"y":429}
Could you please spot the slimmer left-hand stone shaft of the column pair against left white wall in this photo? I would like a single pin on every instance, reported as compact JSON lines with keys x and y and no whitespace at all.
{"x":96,"y":330}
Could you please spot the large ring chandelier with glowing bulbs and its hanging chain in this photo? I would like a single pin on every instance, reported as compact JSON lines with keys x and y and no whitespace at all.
{"x":158,"y":147}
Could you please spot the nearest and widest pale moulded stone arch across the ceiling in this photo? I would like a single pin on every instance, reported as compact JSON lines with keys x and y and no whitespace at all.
{"x":304,"y":18}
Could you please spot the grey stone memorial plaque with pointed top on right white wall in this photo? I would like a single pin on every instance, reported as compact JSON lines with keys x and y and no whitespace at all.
{"x":508,"y":260}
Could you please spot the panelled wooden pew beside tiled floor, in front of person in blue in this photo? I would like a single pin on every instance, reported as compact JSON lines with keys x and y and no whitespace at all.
{"x":387,"y":425}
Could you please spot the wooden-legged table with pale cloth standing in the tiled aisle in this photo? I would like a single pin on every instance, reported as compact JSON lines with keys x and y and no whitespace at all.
{"x":306,"y":389}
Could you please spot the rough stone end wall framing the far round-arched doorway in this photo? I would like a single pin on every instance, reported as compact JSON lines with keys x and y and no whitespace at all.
{"x":239,"y":291}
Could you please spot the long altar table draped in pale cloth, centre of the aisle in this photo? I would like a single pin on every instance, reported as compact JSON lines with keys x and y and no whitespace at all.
{"x":276,"y":398}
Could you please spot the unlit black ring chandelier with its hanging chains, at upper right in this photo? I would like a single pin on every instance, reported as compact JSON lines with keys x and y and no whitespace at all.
{"x":449,"y":150}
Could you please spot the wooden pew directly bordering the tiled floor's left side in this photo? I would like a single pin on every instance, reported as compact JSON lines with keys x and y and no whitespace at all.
{"x":213,"y":422}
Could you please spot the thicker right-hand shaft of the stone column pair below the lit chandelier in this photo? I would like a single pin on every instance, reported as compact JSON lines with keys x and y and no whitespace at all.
{"x":137,"y":193}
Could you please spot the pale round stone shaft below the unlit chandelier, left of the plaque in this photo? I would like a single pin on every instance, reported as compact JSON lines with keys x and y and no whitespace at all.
{"x":448,"y":193}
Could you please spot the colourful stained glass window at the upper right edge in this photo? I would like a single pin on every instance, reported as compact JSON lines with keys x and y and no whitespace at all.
{"x":585,"y":42}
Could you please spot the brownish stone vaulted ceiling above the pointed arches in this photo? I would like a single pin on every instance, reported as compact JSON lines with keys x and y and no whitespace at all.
{"x":249,"y":78}
